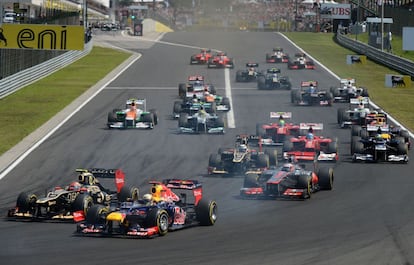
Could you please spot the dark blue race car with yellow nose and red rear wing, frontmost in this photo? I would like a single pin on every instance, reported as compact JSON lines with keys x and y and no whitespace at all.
{"x":161,"y":211}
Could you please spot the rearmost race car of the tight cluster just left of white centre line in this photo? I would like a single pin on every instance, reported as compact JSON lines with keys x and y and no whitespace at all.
{"x":195,"y":85}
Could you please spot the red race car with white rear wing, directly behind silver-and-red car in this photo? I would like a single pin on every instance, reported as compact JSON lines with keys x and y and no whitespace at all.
{"x":310,"y":147}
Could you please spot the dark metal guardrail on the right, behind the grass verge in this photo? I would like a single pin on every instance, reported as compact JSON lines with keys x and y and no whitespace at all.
{"x":397,"y":63}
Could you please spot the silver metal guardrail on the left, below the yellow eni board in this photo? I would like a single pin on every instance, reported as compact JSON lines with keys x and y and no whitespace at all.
{"x":30,"y":75}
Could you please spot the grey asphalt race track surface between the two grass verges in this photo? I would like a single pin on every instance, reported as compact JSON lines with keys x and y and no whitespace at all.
{"x":366,"y":219}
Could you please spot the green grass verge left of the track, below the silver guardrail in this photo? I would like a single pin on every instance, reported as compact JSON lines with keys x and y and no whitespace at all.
{"x":24,"y":111}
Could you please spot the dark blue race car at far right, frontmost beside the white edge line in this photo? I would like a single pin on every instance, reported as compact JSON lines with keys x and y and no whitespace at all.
{"x":384,"y":146}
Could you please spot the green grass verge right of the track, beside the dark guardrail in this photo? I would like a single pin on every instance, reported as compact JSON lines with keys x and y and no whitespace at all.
{"x":396,"y":101}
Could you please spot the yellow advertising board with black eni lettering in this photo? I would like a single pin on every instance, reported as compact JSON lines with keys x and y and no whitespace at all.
{"x":40,"y":36}
